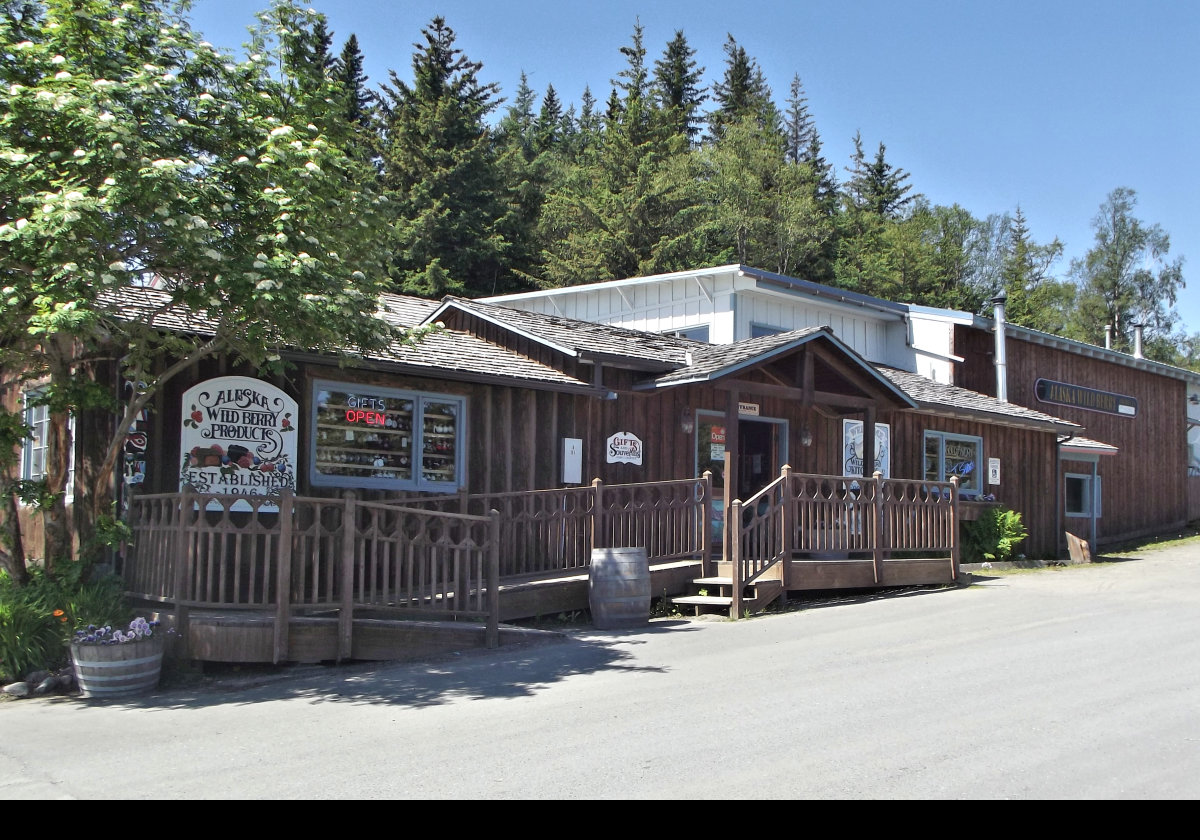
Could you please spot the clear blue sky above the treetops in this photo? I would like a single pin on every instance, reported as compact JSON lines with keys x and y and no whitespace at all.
{"x":1046,"y":105}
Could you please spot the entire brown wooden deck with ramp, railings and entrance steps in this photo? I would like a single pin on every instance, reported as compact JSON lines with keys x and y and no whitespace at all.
{"x":297,"y":579}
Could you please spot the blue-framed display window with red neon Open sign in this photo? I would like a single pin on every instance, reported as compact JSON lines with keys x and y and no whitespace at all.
{"x":381,"y":437}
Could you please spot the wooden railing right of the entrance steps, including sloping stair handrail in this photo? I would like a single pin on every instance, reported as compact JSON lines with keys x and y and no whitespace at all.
{"x":817,"y":517}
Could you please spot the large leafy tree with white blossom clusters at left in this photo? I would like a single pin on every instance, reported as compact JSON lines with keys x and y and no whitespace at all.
{"x":135,"y":153}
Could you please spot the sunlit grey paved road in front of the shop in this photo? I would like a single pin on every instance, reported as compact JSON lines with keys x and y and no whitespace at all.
{"x":1065,"y":683}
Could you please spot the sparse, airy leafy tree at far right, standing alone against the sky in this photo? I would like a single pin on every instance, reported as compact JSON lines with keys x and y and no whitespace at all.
{"x":1126,"y":278}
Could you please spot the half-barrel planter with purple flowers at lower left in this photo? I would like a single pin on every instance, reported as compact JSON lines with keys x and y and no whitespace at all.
{"x":115,"y":663}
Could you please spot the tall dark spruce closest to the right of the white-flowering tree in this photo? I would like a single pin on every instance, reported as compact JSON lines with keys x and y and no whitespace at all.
{"x":439,"y":165}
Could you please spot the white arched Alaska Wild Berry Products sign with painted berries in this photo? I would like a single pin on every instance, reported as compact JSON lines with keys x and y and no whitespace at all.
{"x":238,"y":439}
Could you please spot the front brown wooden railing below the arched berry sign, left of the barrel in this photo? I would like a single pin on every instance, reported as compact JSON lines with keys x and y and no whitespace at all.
{"x":308,"y":555}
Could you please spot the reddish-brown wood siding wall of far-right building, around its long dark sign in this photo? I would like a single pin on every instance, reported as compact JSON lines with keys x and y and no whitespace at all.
{"x":1144,"y":487}
